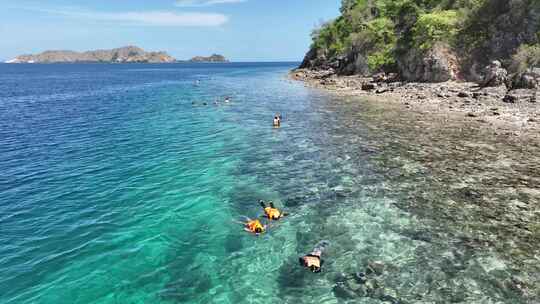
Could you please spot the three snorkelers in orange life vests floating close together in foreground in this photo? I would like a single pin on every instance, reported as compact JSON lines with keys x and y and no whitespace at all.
{"x":313,"y":260}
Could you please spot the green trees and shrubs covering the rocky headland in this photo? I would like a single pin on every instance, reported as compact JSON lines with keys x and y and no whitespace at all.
{"x":383,"y":30}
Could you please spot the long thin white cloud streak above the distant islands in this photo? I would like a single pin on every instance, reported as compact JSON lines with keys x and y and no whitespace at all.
{"x":153,"y":18}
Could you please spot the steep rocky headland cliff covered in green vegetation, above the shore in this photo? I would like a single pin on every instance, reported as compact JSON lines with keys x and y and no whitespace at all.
{"x":428,"y":40}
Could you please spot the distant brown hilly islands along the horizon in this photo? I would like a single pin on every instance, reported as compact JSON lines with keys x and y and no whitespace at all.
{"x":127,"y":54}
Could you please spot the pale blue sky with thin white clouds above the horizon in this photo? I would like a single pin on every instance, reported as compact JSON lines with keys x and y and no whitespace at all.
{"x":241,"y":30}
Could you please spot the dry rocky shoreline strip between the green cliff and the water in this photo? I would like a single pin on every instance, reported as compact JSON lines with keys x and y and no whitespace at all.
{"x":511,"y":112}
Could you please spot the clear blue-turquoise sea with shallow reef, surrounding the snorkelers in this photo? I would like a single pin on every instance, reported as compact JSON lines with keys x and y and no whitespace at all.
{"x":126,"y":184}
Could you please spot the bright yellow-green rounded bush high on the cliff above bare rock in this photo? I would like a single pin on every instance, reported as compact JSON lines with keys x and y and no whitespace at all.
{"x":440,"y":26}
